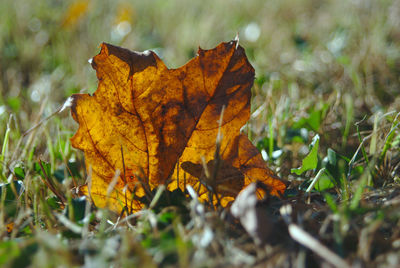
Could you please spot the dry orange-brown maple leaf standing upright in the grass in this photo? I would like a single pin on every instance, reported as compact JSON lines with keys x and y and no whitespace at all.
{"x":157,"y":125}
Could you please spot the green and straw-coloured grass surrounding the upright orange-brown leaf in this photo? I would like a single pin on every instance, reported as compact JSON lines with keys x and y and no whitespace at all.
{"x":330,"y":68}
